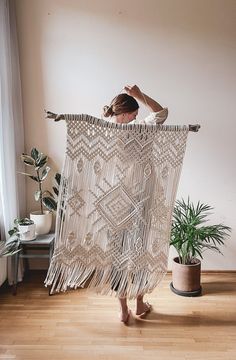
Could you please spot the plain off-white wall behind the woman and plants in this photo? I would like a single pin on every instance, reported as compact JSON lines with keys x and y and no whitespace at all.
{"x":78,"y":54}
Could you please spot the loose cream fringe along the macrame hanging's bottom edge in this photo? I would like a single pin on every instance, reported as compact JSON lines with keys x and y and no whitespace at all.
{"x":62,"y":277}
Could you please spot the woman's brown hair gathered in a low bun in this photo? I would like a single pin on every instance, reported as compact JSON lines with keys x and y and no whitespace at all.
{"x":121,"y":104}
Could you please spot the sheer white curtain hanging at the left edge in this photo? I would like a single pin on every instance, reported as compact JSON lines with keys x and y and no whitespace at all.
{"x":12,"y":185}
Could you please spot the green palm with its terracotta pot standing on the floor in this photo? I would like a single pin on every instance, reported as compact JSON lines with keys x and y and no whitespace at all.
{"x":191,"y":237}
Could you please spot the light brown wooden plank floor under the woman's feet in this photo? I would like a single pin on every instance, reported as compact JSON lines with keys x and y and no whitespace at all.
{"x":82,"y":325}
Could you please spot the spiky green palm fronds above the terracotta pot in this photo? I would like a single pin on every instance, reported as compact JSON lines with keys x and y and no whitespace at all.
{"x":188,"y":234}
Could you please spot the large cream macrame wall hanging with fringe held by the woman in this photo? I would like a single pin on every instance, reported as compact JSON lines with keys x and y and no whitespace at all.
{"x":117,"y":194}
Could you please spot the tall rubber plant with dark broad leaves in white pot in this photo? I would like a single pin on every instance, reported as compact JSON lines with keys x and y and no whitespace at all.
{"x":47,"y":201}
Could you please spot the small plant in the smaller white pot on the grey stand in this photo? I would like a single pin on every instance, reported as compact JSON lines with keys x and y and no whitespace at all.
{"x":24,"y":229}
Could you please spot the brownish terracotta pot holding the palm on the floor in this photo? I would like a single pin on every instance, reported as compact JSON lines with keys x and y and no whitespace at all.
{"x":186,"y":278}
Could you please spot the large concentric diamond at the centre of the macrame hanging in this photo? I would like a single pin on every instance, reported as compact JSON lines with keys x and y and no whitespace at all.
{"x":117,"y":206}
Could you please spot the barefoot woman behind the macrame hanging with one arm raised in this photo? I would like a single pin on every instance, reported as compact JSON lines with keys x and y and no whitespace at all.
{"x":124,"y":109}
